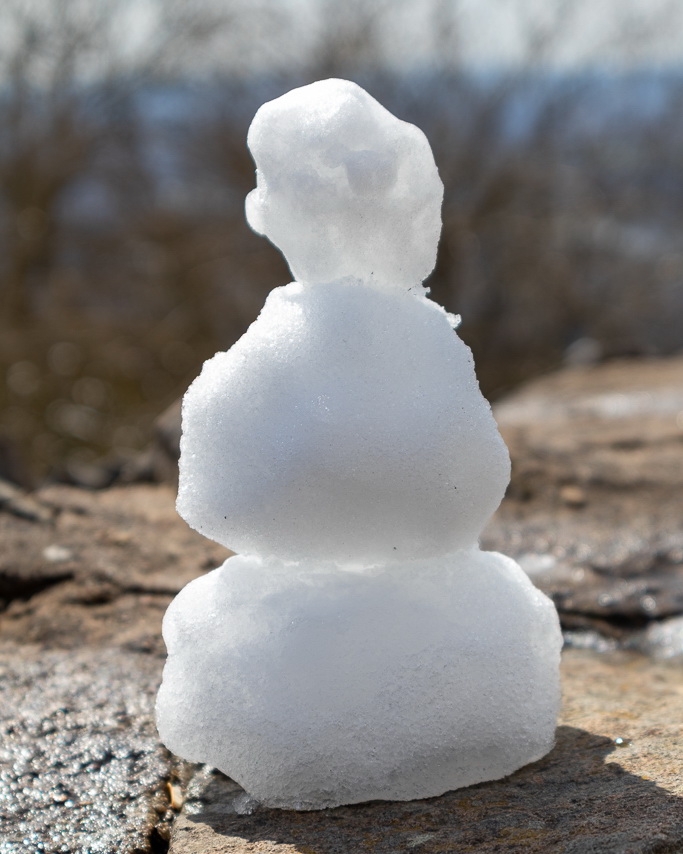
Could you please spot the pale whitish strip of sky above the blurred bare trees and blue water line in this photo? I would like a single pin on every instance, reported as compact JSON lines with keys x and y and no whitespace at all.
{"x":264,"y":34}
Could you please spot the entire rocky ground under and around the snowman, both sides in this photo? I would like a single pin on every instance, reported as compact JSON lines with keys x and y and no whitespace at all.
{"x":593,"y":513}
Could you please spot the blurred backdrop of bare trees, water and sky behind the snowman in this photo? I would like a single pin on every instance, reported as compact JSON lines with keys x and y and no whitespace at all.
{"x":125,"y":259}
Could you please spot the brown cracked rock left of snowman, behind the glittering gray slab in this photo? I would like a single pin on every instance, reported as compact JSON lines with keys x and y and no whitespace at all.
{"x":87,"y":568}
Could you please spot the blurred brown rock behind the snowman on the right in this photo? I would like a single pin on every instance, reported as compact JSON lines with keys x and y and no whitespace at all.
{"x":594,"y":507}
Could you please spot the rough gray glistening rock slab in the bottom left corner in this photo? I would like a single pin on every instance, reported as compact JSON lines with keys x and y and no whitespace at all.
{"x":81,"y":767}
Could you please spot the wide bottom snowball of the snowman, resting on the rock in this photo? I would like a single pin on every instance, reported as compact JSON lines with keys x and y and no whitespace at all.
{"x":314,"y":687}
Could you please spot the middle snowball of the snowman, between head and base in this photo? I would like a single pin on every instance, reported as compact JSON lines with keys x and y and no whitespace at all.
{"x":345,"y":425}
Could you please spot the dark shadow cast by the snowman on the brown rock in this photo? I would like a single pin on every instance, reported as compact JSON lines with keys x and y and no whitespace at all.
{"x":572,"y":801}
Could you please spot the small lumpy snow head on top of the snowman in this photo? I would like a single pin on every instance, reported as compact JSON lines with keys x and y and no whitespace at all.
{"x":344,"y":188}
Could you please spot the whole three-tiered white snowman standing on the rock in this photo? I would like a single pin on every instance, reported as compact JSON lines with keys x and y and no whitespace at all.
{"x":360,"y":646}
